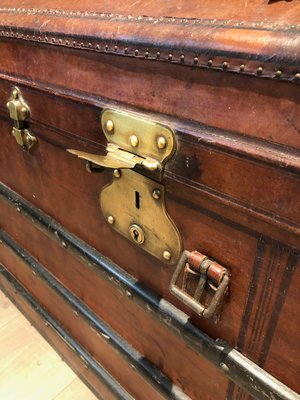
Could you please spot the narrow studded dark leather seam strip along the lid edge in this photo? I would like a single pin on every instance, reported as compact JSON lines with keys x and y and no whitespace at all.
{"x":205,"y":59}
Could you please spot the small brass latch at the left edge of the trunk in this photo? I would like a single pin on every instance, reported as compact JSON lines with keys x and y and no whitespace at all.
{"x":19,"y":112}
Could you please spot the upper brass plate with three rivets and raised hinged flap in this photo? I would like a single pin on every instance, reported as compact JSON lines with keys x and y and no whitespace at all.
{"x":134,"y":142}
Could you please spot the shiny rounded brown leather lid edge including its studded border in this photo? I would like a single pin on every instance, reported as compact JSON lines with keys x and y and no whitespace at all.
{"x":261,"y":48}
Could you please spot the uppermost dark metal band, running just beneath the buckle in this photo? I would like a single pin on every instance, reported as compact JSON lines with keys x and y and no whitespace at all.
{"x":239,"y":369}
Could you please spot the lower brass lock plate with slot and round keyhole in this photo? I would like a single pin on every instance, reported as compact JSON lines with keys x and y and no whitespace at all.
{"x":134,"y":205}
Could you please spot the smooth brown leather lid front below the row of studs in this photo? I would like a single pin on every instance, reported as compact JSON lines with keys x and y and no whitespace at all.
{"x":251,"y":106}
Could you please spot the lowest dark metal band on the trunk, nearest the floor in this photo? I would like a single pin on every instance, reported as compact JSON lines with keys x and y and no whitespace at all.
{"x":89,"y":361}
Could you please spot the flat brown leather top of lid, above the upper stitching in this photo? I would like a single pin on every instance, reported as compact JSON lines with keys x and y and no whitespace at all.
{"x":260,"y":10}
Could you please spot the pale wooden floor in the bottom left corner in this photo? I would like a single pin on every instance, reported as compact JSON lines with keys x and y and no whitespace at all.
{"x":29,"y":368}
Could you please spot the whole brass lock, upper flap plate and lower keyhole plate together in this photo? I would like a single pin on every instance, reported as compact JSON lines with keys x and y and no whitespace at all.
{"x":134,"y":202}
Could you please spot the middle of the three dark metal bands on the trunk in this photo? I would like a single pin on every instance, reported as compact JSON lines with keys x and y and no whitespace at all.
{"x":143,"y":366}
